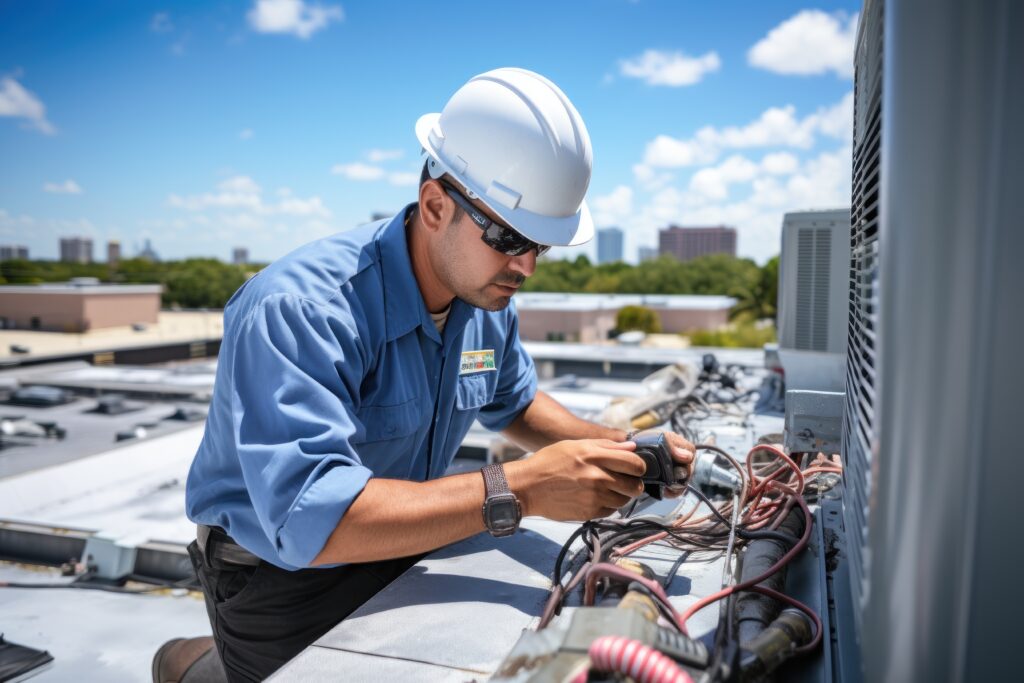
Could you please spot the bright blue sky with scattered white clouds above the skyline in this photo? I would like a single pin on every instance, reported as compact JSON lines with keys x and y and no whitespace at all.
{"x":205,"y":126}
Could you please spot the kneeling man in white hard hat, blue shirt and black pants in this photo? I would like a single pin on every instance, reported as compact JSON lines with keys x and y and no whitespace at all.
{"x":353,"y":368}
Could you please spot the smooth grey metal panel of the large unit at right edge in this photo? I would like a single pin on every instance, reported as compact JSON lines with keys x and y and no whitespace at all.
{"x":944,"y":603}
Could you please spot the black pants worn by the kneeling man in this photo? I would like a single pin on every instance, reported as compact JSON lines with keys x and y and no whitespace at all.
{"x":265,"y":616}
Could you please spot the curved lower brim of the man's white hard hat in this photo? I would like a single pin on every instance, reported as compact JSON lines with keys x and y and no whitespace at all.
{"x":554,"y":231}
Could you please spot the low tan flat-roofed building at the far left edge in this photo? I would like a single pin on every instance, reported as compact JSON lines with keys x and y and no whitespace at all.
{"x":80,"y":306}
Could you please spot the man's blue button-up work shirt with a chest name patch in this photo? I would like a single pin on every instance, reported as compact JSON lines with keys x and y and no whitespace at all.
{"x":332,"y":372}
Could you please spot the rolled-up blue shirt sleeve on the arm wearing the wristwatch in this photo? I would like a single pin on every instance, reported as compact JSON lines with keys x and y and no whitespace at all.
{"x":296,"y":372}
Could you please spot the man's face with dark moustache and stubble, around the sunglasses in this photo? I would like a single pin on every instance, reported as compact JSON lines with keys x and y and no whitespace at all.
{"x":477,"y":274}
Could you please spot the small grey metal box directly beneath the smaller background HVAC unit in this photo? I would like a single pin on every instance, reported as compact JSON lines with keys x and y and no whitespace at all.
{"x":815,"y":421}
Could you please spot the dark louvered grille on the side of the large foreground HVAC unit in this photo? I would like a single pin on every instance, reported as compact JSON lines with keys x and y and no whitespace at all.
{"x":860,"y":433}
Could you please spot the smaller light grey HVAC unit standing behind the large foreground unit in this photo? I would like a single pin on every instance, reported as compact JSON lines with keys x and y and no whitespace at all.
{"x":814,"y":298}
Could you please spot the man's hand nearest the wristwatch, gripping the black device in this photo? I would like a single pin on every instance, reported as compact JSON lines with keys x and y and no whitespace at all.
{"x":578,"y":480}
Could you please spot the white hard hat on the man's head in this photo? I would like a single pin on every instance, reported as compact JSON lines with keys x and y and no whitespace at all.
{"x":516,"y":142}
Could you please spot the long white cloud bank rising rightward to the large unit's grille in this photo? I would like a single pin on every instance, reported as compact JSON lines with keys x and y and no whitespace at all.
{"x":778,"y":126}
